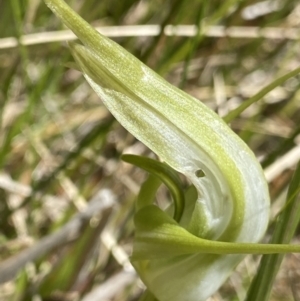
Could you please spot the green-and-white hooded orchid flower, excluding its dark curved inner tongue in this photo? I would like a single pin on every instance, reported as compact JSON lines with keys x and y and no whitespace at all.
{"x":188,"y":257}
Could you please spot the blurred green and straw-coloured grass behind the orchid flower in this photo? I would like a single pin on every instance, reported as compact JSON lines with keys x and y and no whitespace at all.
{"x":67,"y":200}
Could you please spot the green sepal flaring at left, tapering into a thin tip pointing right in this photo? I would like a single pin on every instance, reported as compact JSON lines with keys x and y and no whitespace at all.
{"x":159,"y":236}
